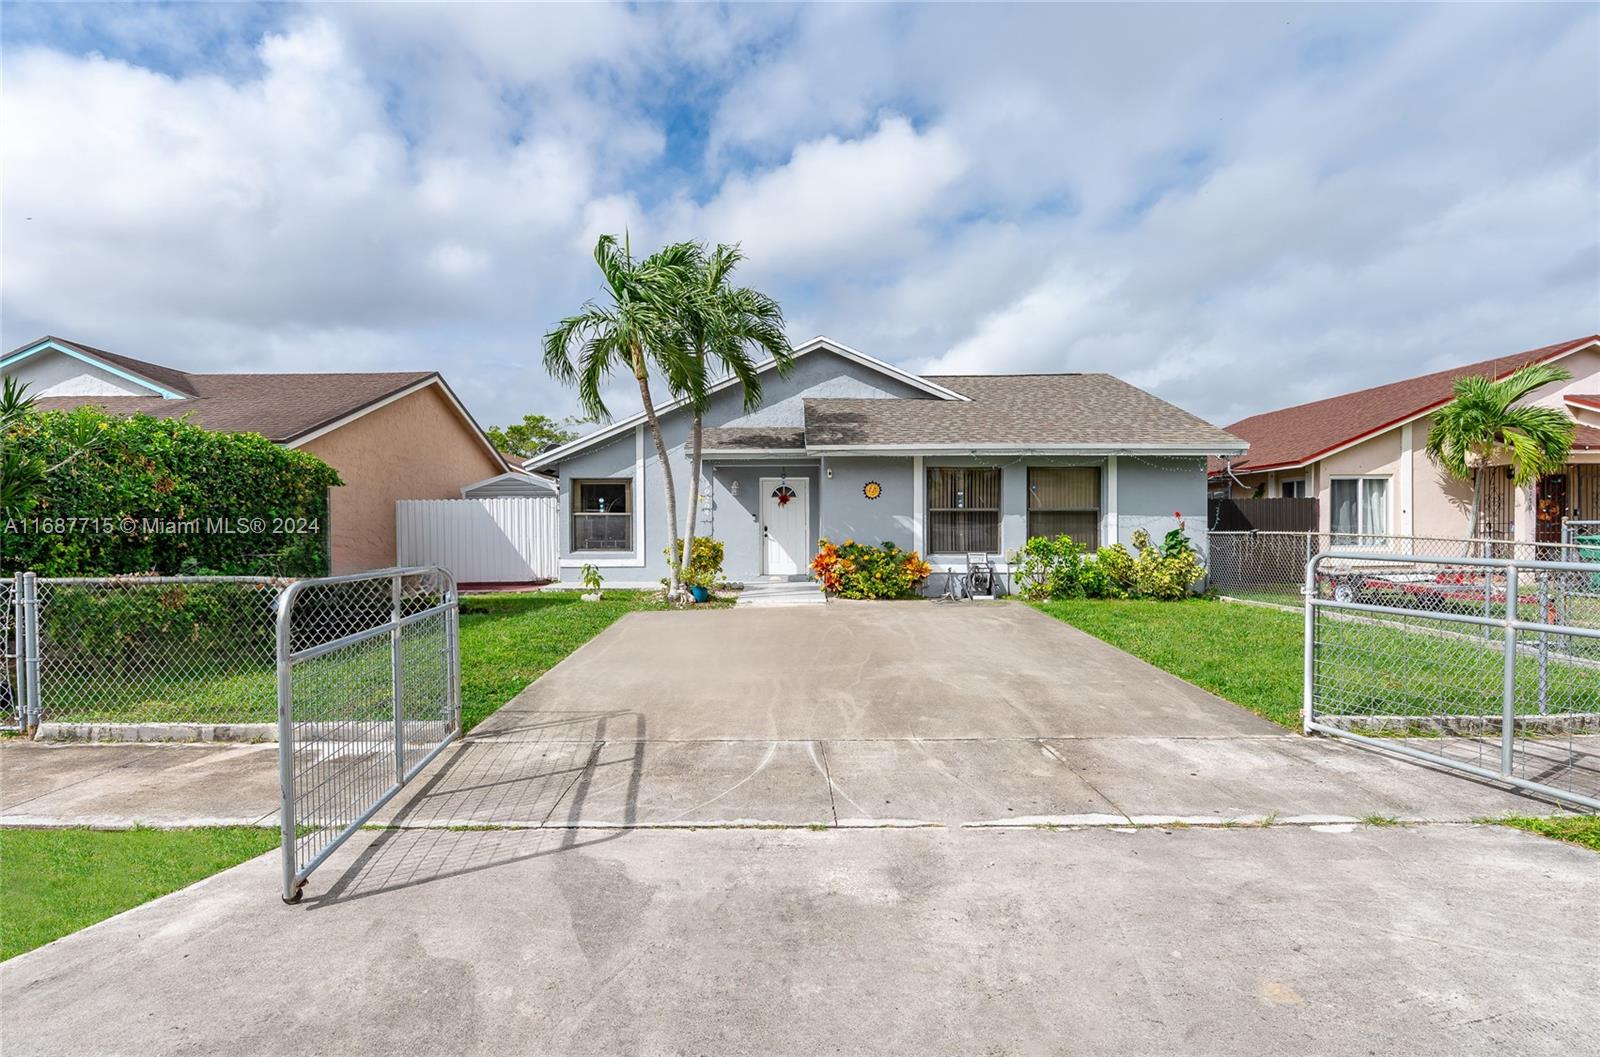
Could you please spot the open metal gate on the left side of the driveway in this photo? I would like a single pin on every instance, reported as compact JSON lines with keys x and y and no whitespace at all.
{"x":369,"y":676}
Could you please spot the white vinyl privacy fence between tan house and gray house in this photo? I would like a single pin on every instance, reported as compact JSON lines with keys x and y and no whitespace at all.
{"x":482,"y":541}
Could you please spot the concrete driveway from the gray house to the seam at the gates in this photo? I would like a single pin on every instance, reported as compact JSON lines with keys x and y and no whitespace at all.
{"x":879,"y":714}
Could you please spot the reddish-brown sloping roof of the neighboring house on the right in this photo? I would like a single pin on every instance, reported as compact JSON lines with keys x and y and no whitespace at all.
{"x":1292,"y":437}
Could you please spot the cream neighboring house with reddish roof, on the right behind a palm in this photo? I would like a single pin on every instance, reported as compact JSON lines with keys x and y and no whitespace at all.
{"x":1364,"y":457}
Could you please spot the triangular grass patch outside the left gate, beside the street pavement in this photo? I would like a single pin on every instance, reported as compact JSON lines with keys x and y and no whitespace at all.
{"x":58,"y":882}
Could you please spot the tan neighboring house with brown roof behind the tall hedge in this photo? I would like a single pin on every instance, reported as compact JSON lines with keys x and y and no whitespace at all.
{"x":391,"y":436}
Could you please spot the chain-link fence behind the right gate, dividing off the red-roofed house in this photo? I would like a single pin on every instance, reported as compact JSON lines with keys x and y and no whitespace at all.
{"x":1271,"y":567}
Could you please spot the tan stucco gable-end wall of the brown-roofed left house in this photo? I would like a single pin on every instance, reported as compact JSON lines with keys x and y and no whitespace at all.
{"x":414,"y":449}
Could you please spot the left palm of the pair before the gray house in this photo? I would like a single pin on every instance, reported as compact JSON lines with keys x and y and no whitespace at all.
{"x":634,"y":332}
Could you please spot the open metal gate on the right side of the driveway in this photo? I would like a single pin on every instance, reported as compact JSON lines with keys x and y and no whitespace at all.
{"x":1482,"y":664}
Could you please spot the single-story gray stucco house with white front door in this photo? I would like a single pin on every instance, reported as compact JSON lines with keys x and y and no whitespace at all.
{"x":854,"y":449}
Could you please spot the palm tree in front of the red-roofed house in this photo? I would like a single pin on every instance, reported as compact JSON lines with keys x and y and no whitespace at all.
{"x":1484,"y":425}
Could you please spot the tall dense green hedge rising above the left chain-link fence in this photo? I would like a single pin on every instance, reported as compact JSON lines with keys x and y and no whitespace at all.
{"x":166,"y":497}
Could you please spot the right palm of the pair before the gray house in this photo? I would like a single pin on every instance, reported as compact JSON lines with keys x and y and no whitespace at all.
{"x":726,"y":325}
